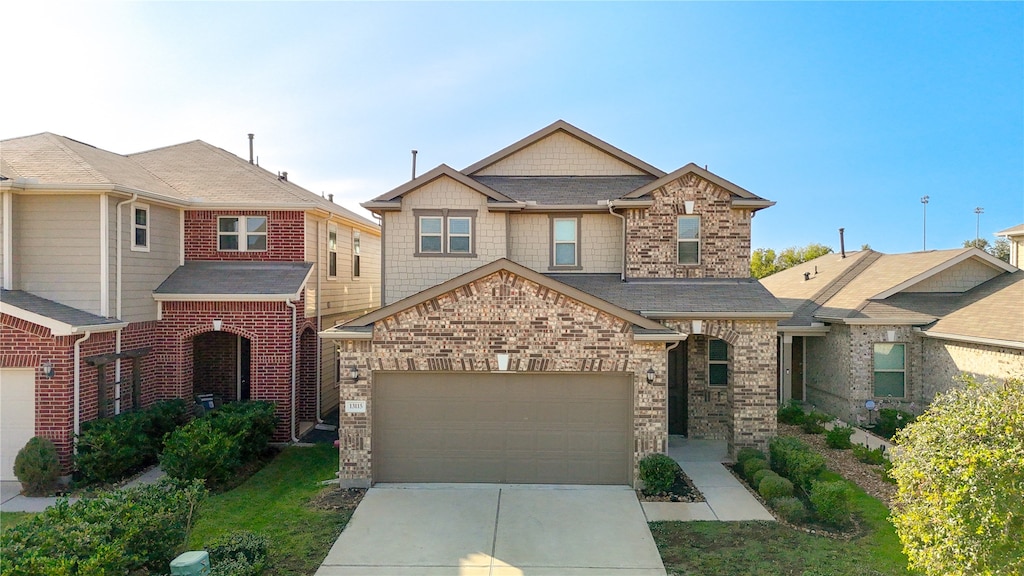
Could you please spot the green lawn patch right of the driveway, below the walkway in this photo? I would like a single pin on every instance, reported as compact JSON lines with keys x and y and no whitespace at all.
{"x":769,"y":549}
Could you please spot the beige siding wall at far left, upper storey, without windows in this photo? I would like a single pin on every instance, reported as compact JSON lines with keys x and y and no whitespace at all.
{"x":58,"y":249}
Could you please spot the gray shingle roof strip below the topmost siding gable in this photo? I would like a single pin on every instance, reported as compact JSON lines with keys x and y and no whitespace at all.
{"x":565,"y":190}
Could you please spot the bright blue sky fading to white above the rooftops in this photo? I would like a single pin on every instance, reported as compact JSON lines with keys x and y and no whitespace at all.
{"x":845,"y":114}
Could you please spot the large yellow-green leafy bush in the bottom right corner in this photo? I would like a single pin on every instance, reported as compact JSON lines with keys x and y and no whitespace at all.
{"x":960,"y":471}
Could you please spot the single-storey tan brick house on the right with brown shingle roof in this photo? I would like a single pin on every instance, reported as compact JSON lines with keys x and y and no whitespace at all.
{"x":897,"y":330}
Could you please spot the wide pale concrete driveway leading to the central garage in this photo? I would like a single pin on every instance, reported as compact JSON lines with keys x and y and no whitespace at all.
{"x":496,"y":530}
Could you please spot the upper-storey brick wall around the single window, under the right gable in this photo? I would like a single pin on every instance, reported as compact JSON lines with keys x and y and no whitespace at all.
{"x":726,"y":233}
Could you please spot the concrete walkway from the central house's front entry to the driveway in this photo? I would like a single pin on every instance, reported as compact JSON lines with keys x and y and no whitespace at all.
{"x":728,"y":500}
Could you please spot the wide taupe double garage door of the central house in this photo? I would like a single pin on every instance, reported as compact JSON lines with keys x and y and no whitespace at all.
{"x":518,"y":429}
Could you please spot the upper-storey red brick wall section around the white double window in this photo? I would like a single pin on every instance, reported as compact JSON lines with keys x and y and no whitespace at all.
{"x":285,"y":239}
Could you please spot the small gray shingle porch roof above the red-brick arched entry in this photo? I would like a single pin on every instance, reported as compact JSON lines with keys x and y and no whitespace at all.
{"x":241,"y":279}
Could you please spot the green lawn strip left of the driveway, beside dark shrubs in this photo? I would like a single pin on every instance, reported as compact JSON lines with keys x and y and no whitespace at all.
{"x":275,"y":503}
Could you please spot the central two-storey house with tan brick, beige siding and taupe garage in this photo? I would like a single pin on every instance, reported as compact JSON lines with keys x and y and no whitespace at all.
{"x":552,"y":314}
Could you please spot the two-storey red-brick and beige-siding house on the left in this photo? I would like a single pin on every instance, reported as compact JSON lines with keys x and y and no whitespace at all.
{"x":167,"y":274}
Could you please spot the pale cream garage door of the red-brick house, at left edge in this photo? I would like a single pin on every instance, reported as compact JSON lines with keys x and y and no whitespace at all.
{"x":18,"y":416}
